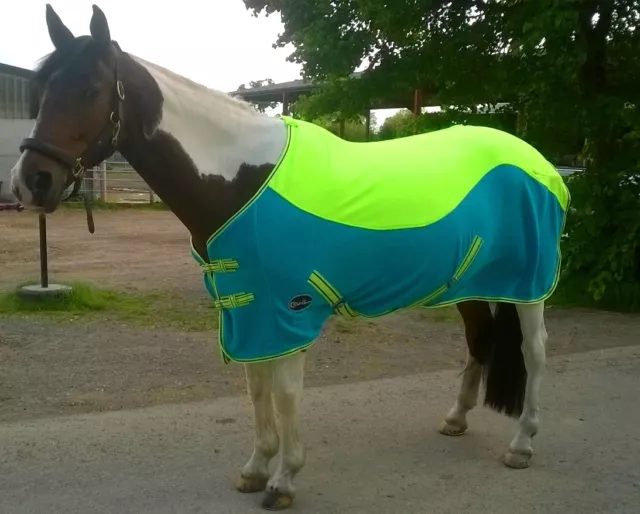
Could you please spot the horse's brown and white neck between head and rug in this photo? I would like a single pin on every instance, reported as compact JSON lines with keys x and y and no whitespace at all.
{"x":208,"y":157}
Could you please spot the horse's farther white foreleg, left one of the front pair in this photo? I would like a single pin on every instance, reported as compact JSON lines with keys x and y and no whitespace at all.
{"x":255,"y":474}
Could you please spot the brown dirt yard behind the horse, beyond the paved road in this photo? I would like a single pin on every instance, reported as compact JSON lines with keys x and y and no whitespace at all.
{"x":49,"y":368}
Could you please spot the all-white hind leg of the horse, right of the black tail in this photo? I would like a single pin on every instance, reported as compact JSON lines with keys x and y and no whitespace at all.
{"x":533,"y":348}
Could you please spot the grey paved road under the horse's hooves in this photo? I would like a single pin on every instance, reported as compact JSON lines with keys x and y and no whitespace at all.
{"x":373,"y":448}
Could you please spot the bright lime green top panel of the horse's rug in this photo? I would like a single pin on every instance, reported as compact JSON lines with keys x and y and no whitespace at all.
{"x":402,"y":183}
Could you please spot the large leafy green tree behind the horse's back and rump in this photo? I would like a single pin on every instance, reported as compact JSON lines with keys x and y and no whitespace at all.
{"x":568,"y":69}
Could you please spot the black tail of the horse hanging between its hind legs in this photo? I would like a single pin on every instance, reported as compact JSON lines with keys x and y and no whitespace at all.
{"x":499,"y":350}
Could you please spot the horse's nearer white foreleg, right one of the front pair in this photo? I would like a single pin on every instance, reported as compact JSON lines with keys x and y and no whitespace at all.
{"x":288,"y":377}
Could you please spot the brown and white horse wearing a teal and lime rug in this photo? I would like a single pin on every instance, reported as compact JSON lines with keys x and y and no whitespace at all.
{"x":291,"y":225}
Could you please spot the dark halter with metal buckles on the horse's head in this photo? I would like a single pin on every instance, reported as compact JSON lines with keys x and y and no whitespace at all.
{"x":104,"y":145}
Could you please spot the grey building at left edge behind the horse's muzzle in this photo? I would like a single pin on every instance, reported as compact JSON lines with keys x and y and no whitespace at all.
{"x":15,"y":122}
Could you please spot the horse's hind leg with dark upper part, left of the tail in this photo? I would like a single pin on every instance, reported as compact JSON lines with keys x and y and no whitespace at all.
{"x":478,"y":321}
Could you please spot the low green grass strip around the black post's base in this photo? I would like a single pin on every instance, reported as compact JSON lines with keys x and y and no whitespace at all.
{"x":157,"y":310}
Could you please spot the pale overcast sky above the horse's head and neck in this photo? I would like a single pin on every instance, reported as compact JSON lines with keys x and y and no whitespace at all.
{"x":215,"y":42}
